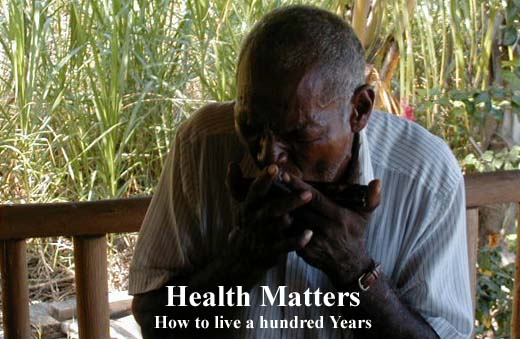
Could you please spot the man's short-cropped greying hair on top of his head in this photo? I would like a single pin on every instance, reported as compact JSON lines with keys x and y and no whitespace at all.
{"x":296,"y":38}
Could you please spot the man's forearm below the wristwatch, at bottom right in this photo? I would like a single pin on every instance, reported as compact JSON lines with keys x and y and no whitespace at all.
{"x":390,"y":317}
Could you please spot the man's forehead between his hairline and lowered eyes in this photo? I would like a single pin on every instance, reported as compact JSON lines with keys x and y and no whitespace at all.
{"x":298,"y":98}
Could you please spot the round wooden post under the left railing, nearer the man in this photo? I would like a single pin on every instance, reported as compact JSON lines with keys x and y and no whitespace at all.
{"x":90,"y":256}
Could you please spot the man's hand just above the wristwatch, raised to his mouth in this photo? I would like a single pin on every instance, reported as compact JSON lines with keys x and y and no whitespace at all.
{"x":337,"y":245}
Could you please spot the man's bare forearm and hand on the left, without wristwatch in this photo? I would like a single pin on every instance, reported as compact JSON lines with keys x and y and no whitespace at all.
{"x":260,"y":241}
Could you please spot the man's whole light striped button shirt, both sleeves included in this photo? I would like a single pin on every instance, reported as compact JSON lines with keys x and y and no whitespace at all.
{"x":418,"y":232}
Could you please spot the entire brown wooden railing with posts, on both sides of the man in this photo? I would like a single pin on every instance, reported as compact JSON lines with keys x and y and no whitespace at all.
{"x":89,"y":222}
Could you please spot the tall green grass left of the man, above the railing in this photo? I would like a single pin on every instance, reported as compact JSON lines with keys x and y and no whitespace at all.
{"x":93,"y":91}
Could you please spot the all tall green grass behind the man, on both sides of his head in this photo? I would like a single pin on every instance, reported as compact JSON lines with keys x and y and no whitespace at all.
{"x":92,"y":91}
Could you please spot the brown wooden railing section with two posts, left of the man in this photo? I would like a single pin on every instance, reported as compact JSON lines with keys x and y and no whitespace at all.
{"x":88,"y":223}
